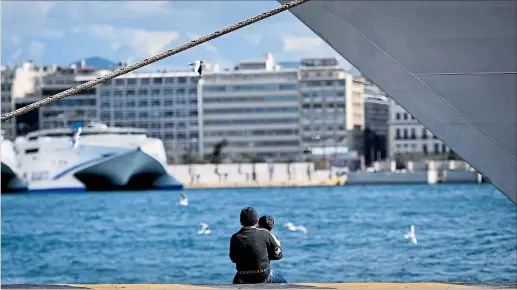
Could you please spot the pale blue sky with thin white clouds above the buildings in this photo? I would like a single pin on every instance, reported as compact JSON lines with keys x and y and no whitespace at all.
{"x":60,"y":32}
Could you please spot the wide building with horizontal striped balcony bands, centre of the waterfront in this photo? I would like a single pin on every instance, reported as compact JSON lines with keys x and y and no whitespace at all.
{"x":255,"y":108}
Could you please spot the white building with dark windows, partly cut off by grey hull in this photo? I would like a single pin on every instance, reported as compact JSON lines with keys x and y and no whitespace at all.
{"x":408,"y":137}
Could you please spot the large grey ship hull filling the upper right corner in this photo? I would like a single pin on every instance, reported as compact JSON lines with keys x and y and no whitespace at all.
{"x":451,"y":64}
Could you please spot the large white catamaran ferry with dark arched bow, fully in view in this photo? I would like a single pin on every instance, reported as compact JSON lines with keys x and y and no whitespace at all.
{"x":93,"y":158}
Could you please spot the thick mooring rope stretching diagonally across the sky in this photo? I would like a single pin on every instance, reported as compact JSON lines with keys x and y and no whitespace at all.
{"x":150,"y":60}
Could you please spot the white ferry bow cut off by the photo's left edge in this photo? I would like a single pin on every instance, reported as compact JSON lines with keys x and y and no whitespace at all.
{"x":11,"y":179}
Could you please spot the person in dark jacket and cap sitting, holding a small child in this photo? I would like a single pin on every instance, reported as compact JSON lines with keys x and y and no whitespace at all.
{"x":251,"y":249}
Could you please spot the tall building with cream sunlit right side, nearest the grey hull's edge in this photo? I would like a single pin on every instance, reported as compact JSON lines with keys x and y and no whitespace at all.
{"x":332,"y":113}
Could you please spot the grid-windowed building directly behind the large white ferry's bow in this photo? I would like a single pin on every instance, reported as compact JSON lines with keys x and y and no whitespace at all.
{"x":164,"y":103}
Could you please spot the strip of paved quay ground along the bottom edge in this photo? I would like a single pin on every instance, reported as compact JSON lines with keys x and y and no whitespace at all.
{"x":348,"y":286}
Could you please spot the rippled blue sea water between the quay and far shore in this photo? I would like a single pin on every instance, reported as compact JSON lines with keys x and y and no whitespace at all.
{"x":464,"y":232}
